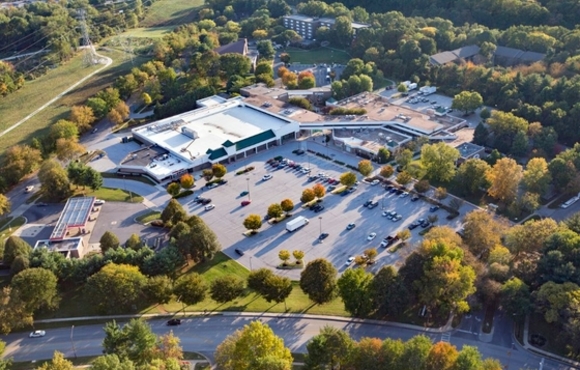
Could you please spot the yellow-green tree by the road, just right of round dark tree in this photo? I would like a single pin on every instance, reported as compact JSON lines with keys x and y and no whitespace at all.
{"x":354,"y":289}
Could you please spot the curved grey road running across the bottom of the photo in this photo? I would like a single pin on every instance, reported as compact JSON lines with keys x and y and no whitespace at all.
{"x":203,"y":334}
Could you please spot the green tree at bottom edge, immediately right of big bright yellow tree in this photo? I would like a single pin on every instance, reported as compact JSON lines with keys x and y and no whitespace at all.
{"x":328,"y":350}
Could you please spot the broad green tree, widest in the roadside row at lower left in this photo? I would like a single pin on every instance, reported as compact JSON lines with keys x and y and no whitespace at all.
{"x":115,"y":288}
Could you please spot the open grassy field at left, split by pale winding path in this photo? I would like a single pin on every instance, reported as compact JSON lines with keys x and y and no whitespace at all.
{"x":16,"y":106}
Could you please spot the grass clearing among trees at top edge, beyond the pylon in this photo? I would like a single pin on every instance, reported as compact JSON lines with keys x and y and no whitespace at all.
{"x":171,"y":12}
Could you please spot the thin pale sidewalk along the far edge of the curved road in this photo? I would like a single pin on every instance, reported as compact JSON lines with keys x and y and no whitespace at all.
{"x":445,"y":328}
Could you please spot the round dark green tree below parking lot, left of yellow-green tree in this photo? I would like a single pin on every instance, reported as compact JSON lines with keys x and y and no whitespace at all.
{"x":318,"y":281}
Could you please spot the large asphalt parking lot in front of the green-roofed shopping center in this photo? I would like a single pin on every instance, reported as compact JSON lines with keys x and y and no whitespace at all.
{"x":261,"y":250}
